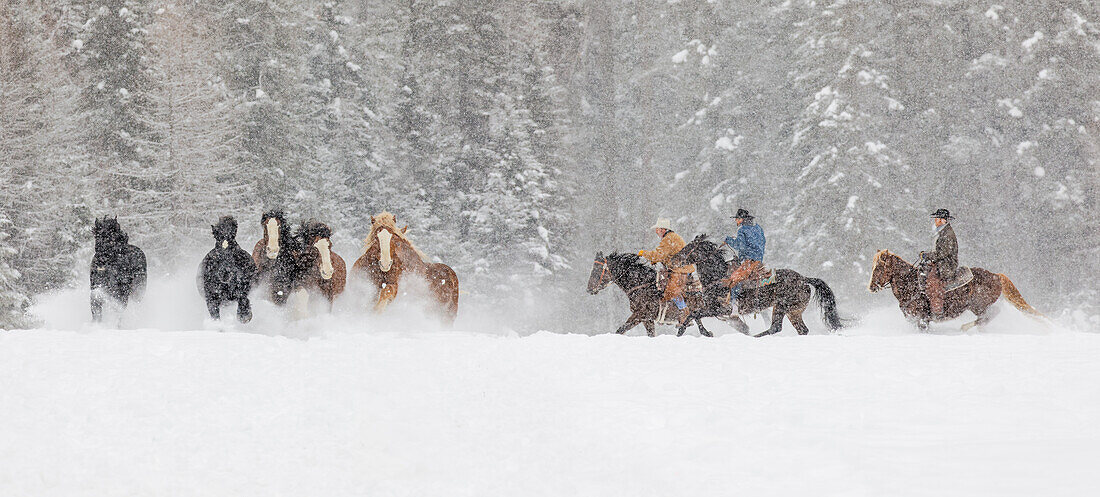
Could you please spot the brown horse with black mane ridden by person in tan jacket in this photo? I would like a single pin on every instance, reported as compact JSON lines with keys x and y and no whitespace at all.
{"x":640,"y":283}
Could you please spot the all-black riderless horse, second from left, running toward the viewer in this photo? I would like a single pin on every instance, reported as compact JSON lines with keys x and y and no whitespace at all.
{"x":227,"y":272}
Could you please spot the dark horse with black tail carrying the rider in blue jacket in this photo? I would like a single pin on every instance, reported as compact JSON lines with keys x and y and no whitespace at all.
{"x":788,"y":296}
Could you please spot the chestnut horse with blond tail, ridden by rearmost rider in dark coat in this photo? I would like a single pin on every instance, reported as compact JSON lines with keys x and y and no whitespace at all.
{"x":977,"y":296}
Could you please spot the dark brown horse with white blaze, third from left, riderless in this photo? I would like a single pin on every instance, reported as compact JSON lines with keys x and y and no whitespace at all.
{"x":279,"y":258}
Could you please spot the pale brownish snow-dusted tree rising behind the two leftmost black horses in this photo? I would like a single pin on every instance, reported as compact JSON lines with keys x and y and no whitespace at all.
{"x":196,"y":116}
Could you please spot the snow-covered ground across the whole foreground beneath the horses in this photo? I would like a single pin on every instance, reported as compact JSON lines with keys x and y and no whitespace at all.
{"x":394,"y":406}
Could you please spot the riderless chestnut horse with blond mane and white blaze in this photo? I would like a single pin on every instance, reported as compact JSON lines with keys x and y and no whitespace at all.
{"x":390,"y":255}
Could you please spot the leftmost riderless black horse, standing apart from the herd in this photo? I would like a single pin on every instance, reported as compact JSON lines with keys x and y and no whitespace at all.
{"x":118,"y":269}
